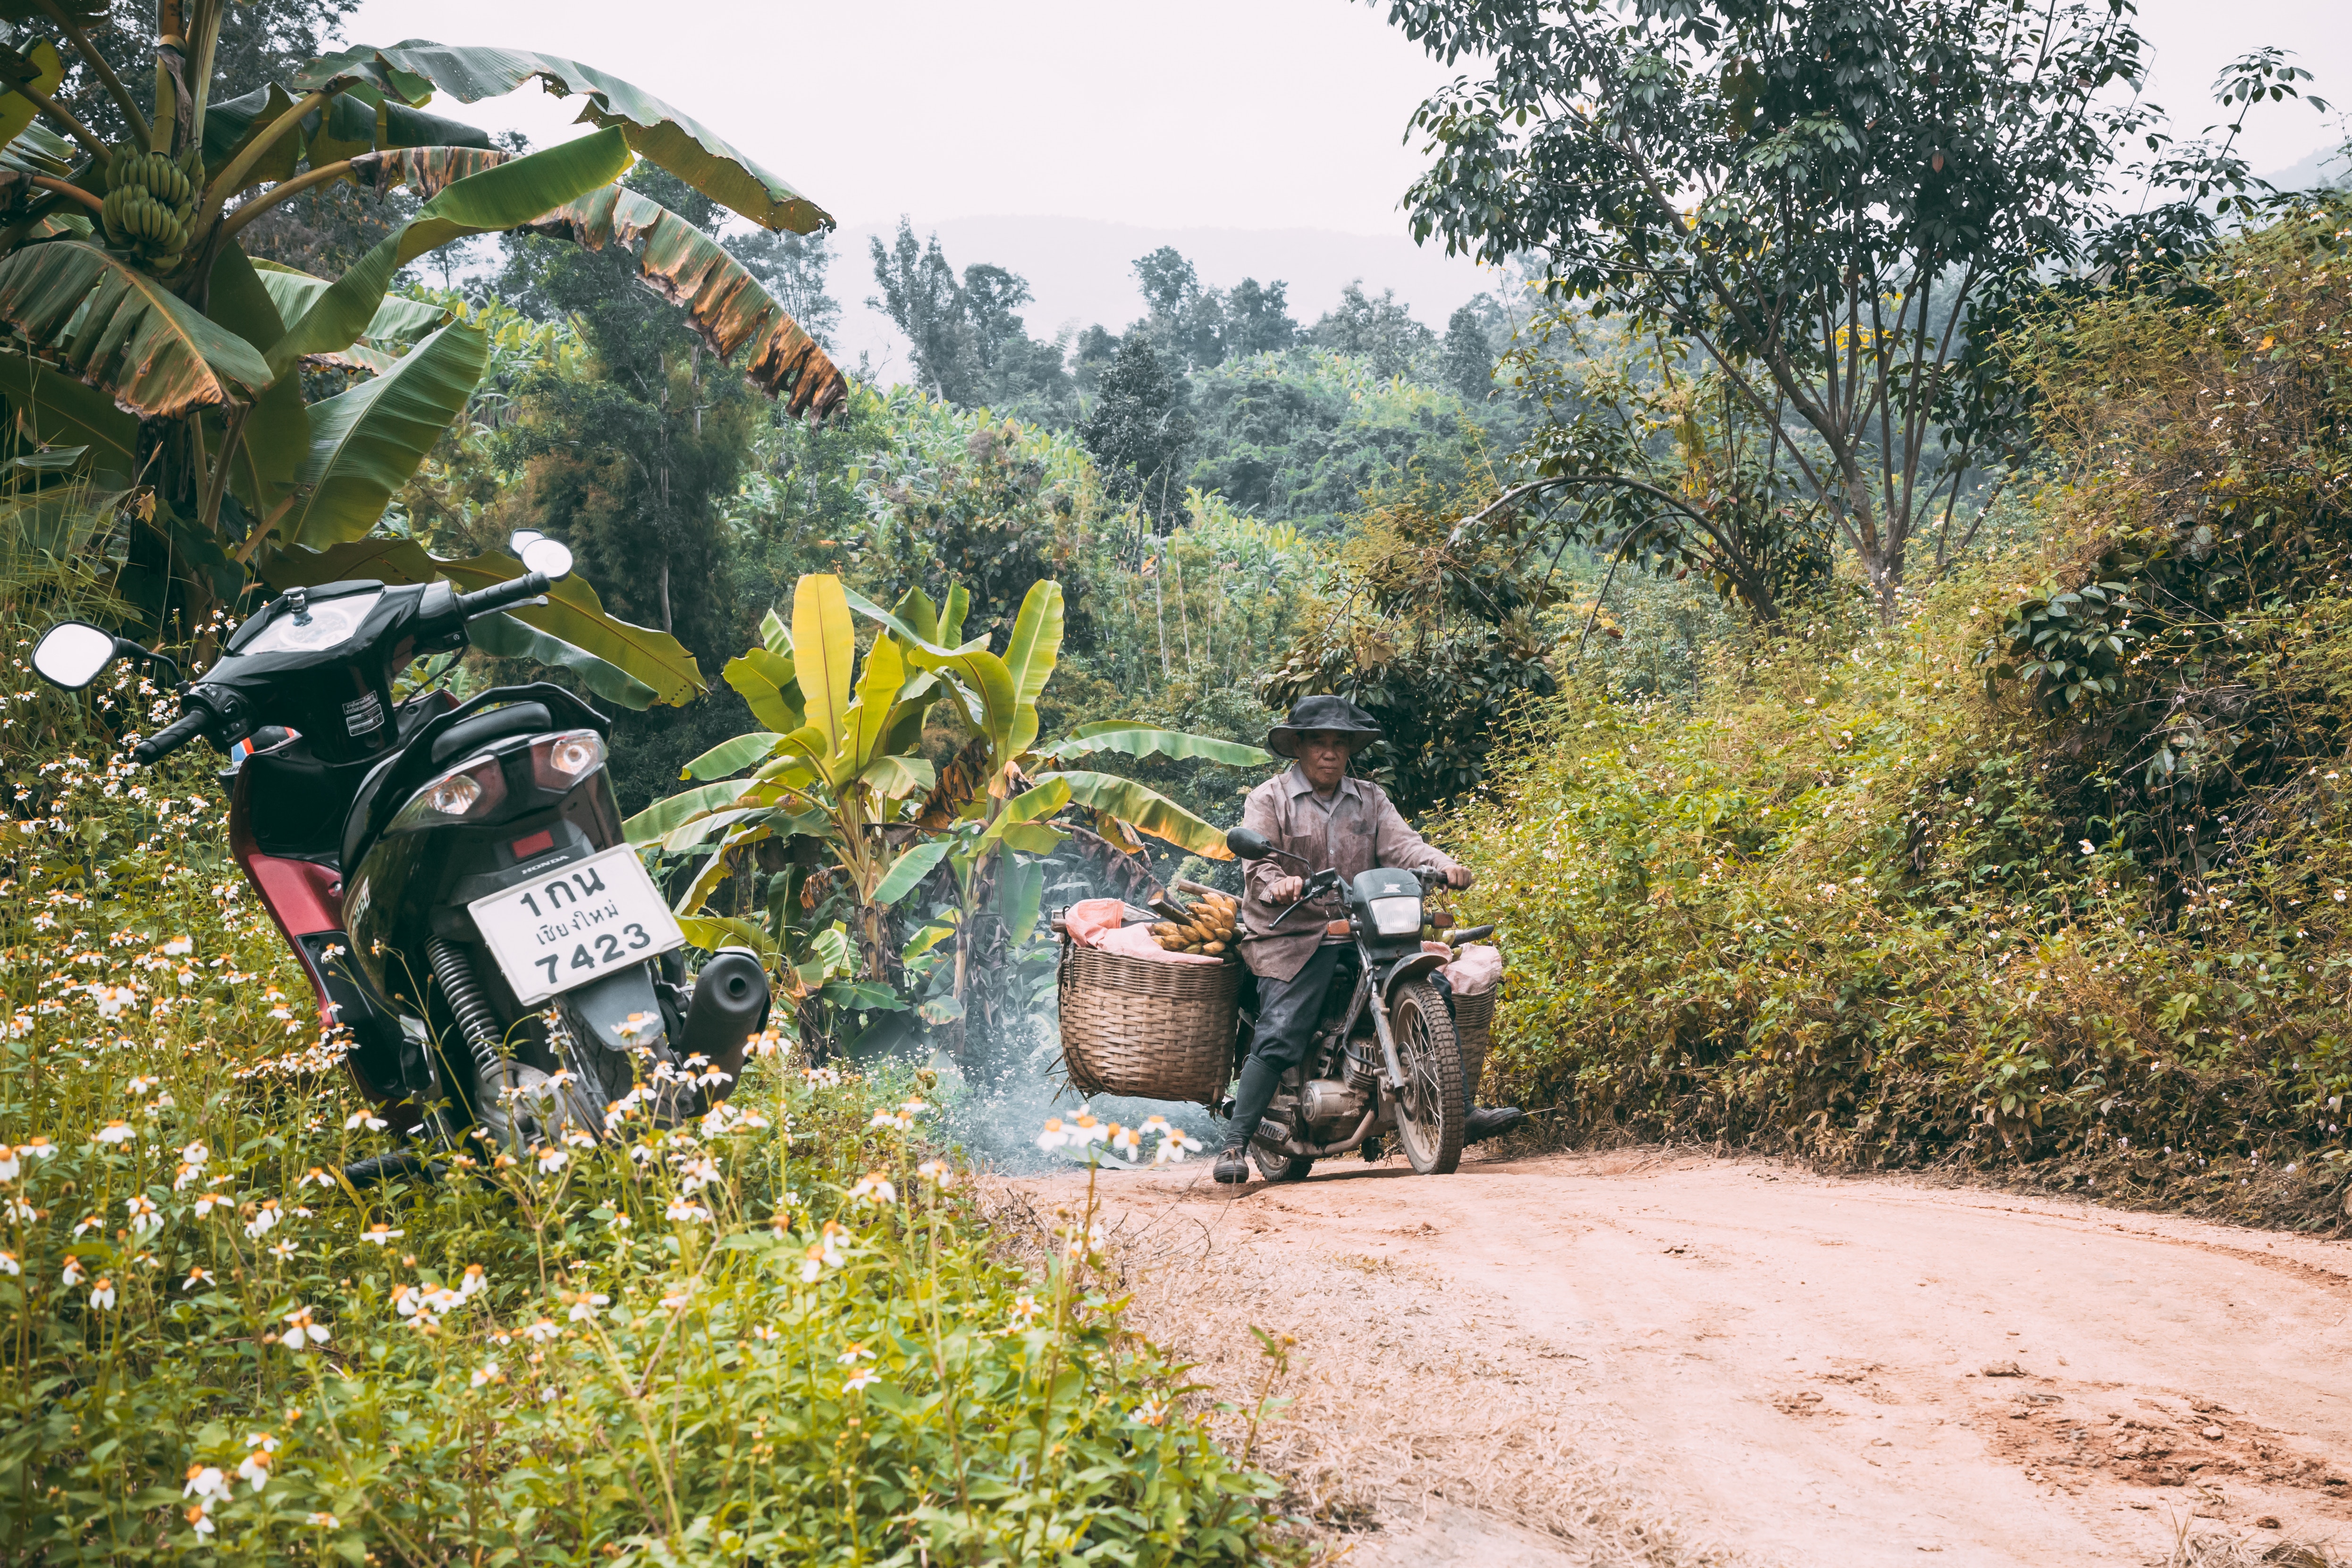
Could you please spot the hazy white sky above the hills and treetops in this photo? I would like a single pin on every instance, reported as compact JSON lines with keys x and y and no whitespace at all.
{"x":1229,"y":114}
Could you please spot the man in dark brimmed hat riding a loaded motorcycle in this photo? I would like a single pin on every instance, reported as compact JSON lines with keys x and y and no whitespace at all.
{"x":1330,"y":822}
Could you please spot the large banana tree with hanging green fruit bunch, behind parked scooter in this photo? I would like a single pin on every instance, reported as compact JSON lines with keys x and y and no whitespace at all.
{"x":145,"y":335}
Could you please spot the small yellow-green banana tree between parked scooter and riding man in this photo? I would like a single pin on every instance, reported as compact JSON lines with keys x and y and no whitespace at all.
{"x":853,"y":784}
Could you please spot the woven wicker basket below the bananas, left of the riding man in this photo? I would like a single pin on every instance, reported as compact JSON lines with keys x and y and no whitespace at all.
{"x":1149,"y":1031}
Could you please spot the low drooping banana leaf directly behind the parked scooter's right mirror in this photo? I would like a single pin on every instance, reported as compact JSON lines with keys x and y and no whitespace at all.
{"x":573,"y":612}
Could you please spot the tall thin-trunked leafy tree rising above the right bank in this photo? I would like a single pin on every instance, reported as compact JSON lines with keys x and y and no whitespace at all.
{"x":1817,"y":196}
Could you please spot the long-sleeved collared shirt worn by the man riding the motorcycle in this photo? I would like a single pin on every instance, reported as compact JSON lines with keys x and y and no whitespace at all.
{"x":1351,"y":831}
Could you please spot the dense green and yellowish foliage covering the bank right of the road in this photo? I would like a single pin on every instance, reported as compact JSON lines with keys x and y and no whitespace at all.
{"x":1852,"y":904}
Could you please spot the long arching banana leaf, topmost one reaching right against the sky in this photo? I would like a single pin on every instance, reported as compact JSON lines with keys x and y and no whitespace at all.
{"x":655,"y":130}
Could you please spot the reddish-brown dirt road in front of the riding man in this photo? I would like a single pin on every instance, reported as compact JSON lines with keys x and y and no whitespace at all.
{"x":1671,"y":1360}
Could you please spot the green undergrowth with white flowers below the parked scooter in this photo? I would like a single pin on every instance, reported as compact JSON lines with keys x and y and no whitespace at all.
{"x":782,"y":1334}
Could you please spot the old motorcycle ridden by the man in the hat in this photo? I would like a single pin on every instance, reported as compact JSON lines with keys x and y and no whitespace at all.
{"x":1384,"y":1054}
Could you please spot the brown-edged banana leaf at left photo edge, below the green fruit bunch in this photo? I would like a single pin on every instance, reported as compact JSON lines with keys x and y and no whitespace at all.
{"x":123,"y":333}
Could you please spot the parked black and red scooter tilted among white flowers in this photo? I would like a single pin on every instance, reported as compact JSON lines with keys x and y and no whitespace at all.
{"x":453,"y":878}
